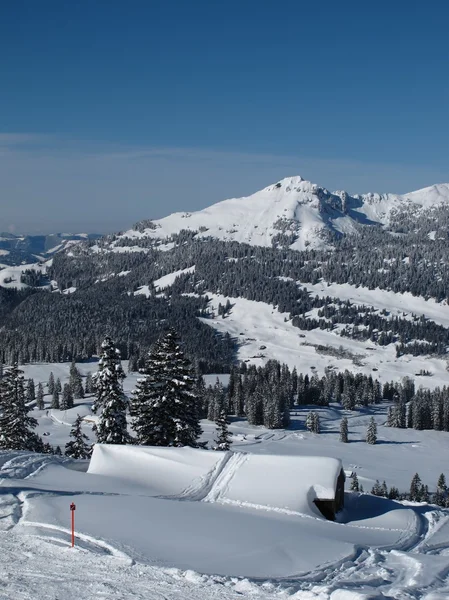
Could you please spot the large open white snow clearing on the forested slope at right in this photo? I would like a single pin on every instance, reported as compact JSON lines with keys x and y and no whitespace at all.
{"x":256,"y":324}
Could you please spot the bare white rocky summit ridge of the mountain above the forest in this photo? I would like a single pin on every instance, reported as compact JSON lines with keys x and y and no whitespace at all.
{"x":292,"y":212}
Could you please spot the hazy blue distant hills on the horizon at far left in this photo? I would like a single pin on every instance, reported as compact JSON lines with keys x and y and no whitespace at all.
{"x":20,"y":249}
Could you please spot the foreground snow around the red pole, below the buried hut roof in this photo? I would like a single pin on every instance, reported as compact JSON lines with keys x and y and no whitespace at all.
{"x":133,"y":544}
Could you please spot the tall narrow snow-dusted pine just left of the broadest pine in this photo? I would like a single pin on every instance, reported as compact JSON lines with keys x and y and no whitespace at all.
{"x":111,"y":427}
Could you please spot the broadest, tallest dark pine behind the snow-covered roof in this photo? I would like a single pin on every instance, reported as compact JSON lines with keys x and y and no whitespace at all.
{"x":164,"y":406}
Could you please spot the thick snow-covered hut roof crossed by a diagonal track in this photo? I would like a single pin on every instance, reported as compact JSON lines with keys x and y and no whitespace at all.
{"x":280,"y":483}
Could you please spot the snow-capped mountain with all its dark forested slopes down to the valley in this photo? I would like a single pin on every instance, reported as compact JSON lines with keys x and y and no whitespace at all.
{"x":339,"y":280}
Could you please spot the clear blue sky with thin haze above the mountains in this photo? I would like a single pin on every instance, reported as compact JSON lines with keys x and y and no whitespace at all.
{"x":115,"y":111}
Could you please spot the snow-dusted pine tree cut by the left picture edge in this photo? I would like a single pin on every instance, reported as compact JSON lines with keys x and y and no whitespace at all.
{"x":16,"y":426}
